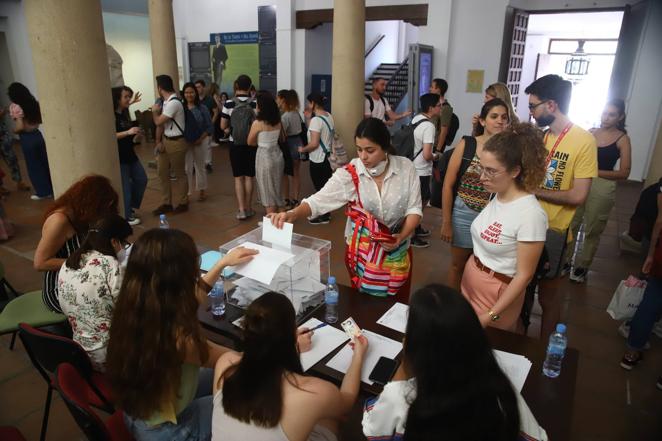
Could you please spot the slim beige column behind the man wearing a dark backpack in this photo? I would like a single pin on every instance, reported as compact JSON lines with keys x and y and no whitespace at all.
{"x":162,"y":37}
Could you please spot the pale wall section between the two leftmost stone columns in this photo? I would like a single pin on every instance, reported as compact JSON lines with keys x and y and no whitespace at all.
{"x":129,"y":35}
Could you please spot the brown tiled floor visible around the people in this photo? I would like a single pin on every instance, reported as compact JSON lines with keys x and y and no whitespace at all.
{"x":610,"y":403}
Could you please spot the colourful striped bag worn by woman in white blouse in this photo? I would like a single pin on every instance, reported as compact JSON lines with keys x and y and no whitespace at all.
{"x":371,"y":268}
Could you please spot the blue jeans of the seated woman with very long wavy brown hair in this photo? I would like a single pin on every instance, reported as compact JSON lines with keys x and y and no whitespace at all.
{"x":193,"y":423}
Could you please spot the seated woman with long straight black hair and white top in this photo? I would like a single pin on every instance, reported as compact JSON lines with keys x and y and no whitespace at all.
{"x":449,"y":385}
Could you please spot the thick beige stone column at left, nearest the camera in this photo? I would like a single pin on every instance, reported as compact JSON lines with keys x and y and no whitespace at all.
{"x":73,"y":88}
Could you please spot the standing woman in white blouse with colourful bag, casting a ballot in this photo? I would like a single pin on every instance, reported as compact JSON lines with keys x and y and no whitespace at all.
{"x":384,"y":197}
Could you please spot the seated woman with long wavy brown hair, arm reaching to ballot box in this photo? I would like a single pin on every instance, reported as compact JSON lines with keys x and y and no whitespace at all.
{"x":156,"y":345}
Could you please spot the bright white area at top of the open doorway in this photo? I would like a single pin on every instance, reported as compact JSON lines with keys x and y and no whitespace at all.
{"x":577,"y":24}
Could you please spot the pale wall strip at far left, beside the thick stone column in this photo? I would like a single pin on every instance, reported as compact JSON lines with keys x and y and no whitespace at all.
{"x":18,"y":42}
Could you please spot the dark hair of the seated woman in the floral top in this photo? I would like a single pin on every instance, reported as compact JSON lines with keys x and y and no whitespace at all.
{"x":99,"y":238}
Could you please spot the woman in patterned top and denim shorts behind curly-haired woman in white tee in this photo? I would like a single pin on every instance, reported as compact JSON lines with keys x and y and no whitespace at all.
{"x":463,"y":195}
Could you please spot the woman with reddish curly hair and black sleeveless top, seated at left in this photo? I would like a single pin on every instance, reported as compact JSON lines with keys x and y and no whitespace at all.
{"x":65,"y":225}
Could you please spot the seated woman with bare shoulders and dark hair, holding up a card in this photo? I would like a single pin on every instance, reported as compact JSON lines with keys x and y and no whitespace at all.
{"x":263,"y":394}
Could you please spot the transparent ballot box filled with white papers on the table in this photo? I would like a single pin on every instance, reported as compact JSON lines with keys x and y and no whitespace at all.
{"x":299,"y":271}
